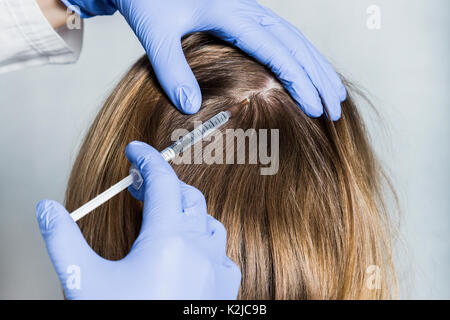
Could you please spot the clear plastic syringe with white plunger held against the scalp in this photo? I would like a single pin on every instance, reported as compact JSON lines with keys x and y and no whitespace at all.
{"x":134,"y":178}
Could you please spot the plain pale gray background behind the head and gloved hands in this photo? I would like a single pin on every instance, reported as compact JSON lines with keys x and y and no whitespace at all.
{"x":404,"y":66}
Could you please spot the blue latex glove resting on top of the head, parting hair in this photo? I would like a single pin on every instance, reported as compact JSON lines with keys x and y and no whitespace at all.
{"x":160,"y":24}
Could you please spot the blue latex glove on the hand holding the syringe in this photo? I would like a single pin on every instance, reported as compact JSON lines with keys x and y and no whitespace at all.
{"x":179,"y":253}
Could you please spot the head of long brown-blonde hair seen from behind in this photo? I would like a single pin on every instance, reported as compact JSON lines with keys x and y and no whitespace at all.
{"x":316,"y":228}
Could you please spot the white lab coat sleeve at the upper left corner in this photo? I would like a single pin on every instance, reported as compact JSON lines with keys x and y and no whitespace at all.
{"x":27,"y":38}
